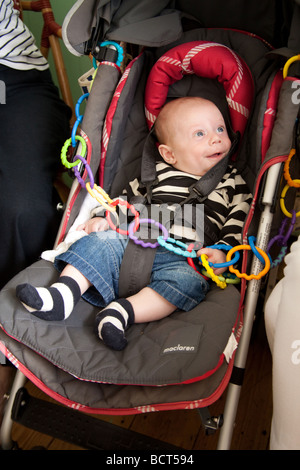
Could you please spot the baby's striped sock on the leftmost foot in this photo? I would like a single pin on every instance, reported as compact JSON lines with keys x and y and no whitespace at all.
{"x":54,"y":303}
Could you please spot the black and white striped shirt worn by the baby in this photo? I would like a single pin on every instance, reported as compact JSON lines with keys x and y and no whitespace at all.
{"x":225,"y":208}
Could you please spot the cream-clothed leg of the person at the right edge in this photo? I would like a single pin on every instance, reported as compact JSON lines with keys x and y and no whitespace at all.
{"x":282,"y":322}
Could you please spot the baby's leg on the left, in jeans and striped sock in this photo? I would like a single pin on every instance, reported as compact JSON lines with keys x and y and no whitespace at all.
{"x":93,"y":260}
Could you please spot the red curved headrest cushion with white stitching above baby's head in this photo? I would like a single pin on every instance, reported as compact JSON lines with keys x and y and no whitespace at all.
{"x":205,"y":59}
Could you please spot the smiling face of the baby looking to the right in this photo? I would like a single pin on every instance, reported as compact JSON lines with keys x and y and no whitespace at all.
{"x":198,"y":137}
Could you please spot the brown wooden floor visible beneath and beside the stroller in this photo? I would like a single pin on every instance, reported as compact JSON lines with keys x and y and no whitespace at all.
{"x":183,"y":428}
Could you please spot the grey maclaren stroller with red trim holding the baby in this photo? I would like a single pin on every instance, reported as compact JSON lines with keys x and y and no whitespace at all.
{"x":185,"y":361}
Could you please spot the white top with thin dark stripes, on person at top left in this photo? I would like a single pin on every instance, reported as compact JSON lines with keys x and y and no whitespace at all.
{"x":17,"y":45}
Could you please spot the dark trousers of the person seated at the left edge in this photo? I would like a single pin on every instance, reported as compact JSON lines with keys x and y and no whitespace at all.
{"x":34,"y":124}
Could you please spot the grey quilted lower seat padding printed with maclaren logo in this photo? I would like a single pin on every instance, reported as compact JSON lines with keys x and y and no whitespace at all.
{"x":183,"y":348}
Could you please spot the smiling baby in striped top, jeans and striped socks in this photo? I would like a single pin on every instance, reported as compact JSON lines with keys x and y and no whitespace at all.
{"x":192,"y":138}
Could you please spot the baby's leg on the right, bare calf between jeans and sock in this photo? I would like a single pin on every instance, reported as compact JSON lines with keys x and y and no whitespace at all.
{"x":174,"y":285}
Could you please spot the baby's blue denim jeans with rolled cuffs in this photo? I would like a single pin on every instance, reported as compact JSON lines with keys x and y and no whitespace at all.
{"x":99,"y":255}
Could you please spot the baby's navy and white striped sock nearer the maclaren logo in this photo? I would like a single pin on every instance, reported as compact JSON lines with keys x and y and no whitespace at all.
{"x":112,"y":322}
